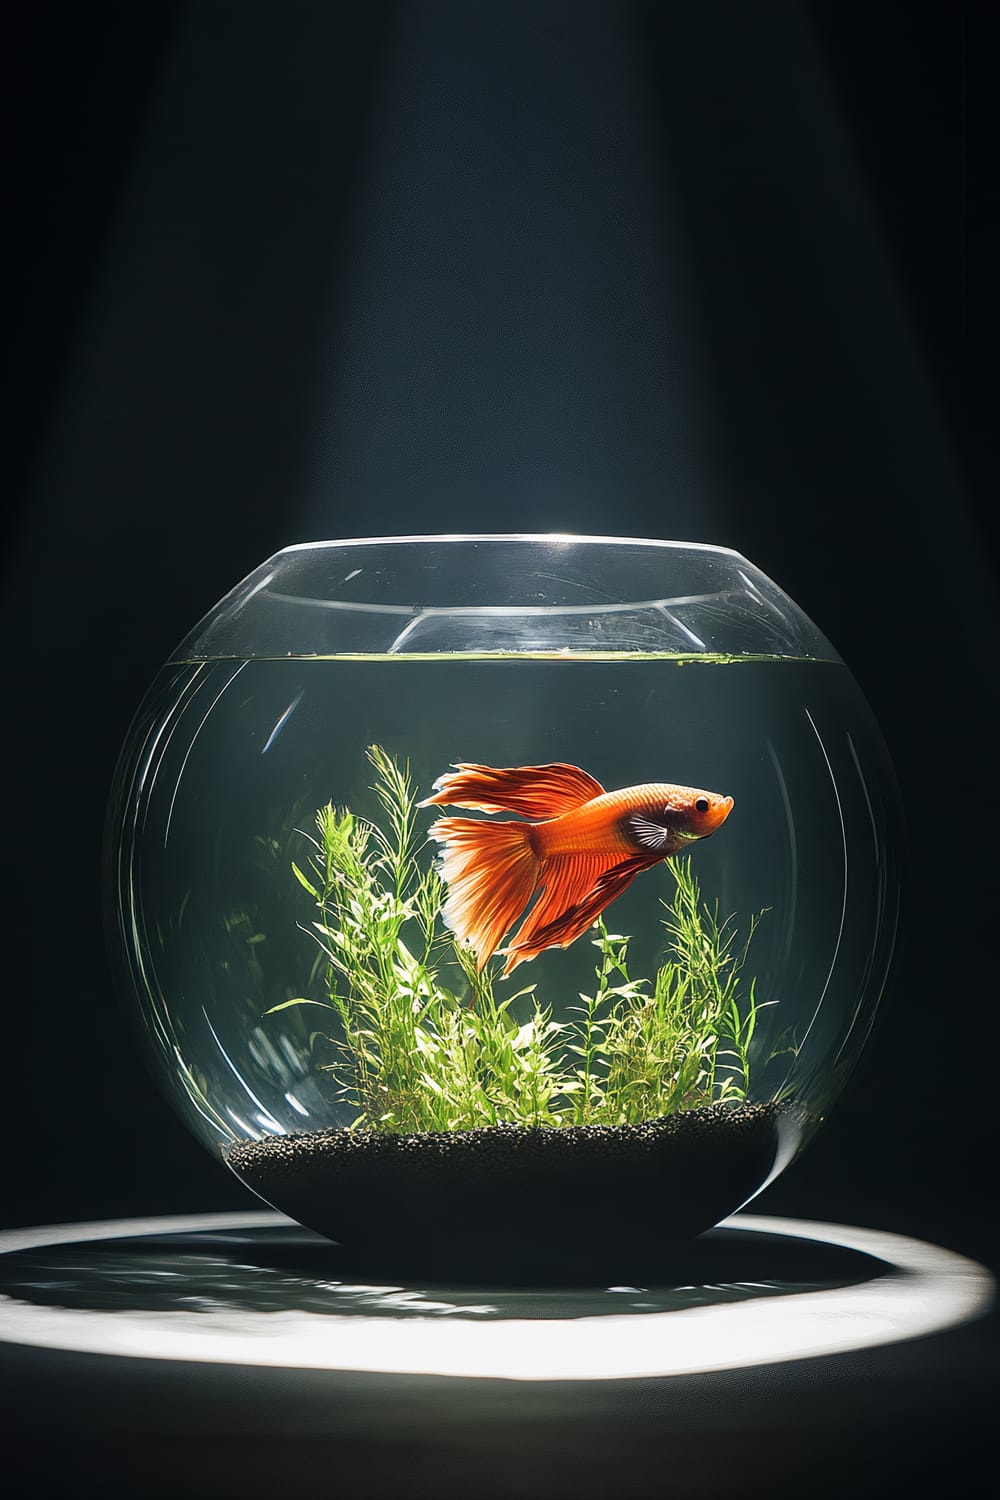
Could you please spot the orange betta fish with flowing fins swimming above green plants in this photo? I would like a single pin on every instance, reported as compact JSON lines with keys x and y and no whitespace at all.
{"x":582,"y":848}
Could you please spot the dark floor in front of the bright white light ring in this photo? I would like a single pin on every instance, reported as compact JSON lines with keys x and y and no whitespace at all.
{"x":906,"y":1420}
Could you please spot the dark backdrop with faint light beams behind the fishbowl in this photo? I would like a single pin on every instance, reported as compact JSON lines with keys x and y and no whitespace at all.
{"x":720,"y":272}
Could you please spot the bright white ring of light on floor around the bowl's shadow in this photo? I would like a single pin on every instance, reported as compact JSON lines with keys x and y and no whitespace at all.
{"x":921,"y":1291}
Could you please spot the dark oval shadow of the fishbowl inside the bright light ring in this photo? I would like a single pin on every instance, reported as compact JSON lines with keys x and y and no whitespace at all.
{"x":293,"y":1270}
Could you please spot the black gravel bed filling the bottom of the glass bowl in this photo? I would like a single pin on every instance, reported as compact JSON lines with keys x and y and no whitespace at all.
{"x":569,"y":1205}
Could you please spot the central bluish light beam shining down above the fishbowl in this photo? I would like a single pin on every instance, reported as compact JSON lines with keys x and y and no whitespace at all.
{"x":510,"y":337}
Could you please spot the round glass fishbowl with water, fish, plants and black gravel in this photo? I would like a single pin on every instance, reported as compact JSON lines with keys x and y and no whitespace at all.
{"x":504,"y":905}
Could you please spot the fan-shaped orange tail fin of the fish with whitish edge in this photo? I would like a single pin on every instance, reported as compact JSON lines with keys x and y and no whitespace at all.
{"x":491,"y":872}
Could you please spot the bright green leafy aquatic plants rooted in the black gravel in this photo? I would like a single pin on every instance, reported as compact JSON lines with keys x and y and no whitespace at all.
{"x":416,"y":1054}
